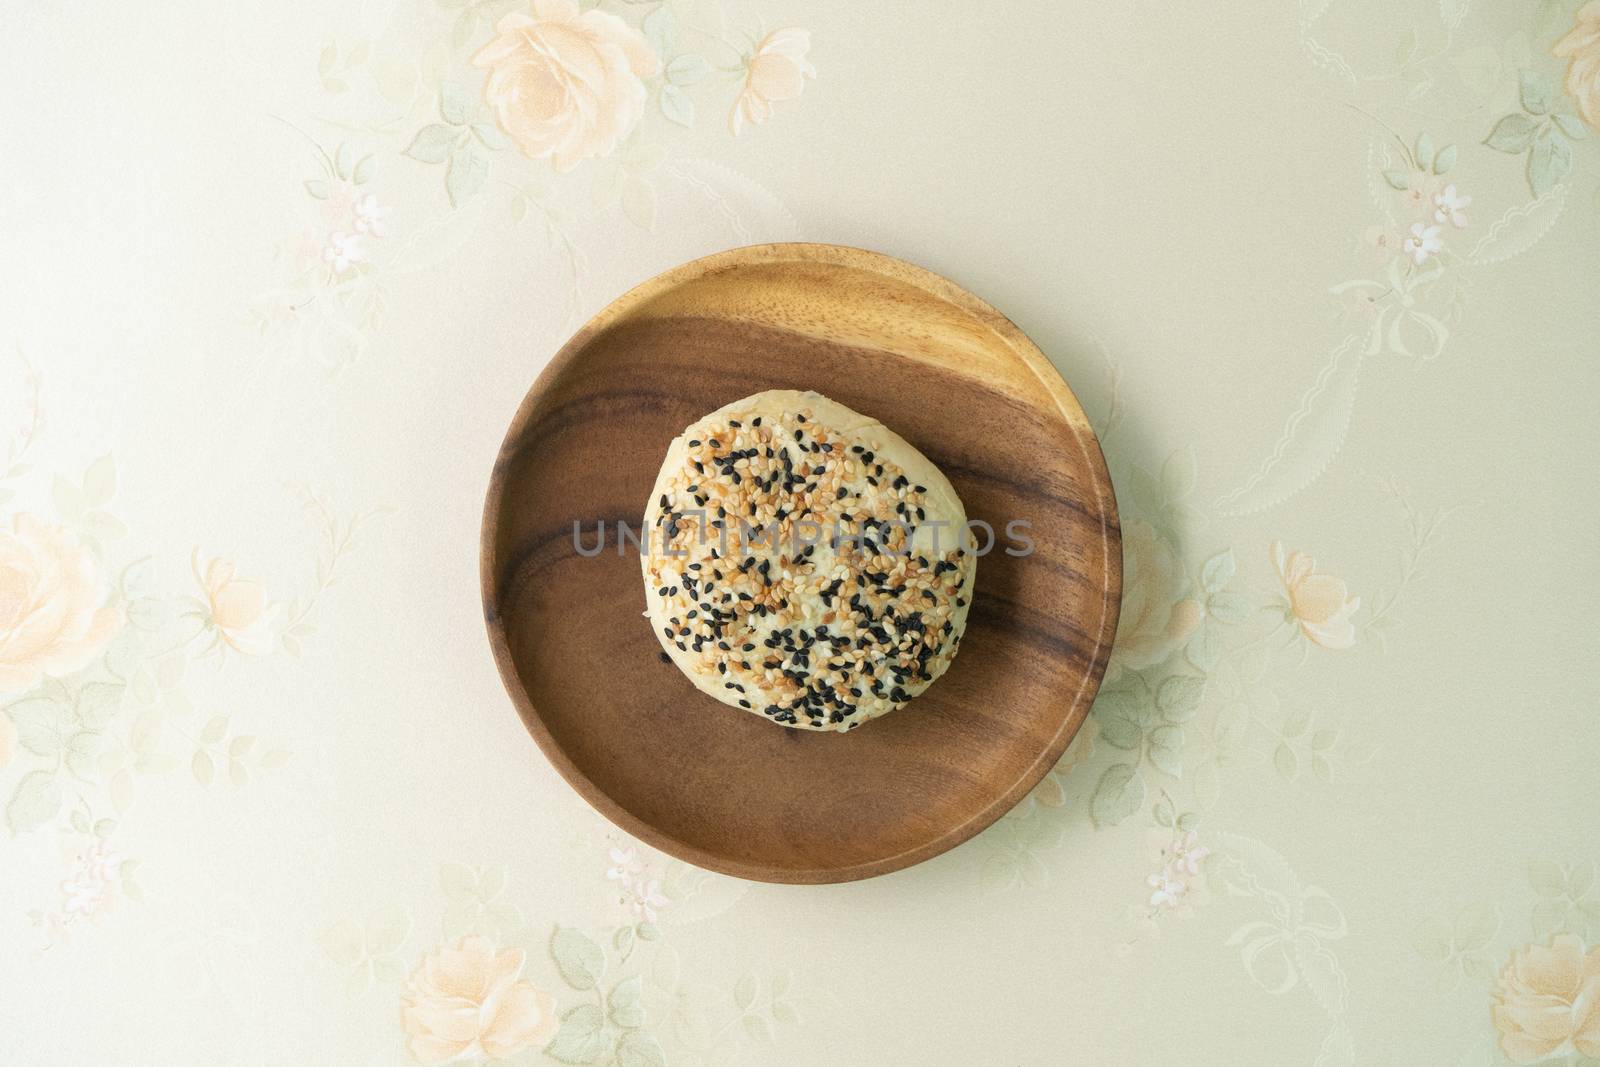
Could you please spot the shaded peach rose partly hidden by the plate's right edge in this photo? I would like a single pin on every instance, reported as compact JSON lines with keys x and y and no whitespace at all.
{"x":1158,"y":617}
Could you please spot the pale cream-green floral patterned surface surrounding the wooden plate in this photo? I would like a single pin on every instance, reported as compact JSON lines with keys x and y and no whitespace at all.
{"x":278,"y":274}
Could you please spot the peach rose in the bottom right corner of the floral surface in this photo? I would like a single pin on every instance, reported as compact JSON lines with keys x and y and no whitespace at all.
{"x":1548,"y":1002}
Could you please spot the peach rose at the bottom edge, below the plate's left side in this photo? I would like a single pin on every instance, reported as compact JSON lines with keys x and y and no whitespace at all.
{"x":466,"y":1001}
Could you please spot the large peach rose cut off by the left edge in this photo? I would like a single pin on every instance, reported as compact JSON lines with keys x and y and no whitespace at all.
{"x":54,"y":615}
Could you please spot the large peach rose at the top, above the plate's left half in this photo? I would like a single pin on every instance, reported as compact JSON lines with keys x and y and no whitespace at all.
{"x":566,"y":84}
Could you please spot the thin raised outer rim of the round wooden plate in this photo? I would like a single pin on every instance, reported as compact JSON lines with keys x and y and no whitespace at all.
{"x":1068,"y":407}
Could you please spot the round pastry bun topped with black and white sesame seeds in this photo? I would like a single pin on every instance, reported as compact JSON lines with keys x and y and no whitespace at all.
{"x":804,"y":562}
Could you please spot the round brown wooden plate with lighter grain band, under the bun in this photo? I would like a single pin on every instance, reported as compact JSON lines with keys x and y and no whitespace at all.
{"x":718,"y":786}
